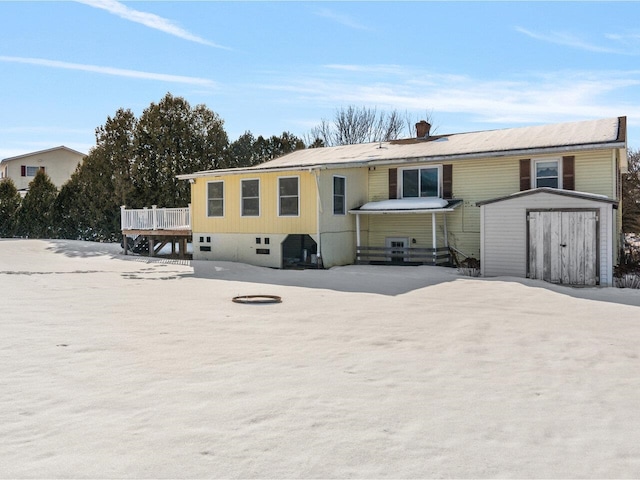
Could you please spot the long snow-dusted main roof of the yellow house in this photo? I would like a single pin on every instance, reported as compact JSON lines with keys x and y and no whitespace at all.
{"x":603,"y":133}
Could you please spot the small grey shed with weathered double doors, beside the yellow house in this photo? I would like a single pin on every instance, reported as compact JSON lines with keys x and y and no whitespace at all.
{"x":560,"y":236}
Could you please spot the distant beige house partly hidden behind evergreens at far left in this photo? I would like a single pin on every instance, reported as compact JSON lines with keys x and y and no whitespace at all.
{"x":58,"y":163}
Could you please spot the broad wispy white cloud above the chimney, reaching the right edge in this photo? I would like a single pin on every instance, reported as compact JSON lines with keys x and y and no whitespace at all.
{"x":529,"y":99}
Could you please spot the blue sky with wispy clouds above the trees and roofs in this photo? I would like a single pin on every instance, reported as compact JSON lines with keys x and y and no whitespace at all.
{"x":270,"y":67}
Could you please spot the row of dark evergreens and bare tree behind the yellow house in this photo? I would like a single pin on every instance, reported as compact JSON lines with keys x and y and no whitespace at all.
{"x":135,"y":162}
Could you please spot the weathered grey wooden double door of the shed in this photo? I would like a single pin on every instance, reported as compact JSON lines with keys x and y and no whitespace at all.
{"x":563,"y":246}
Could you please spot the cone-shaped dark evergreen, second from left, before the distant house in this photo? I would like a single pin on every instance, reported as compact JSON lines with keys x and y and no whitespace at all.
{"x":36,"y":214}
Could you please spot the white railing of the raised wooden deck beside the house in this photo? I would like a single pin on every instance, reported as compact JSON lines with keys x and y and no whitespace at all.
{"x":155,"y":218}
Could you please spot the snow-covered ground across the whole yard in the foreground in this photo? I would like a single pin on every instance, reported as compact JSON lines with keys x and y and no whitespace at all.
{"x":129,"y":367}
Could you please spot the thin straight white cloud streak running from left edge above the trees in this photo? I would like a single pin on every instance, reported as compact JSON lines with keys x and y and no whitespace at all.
{"x":203,"y":82}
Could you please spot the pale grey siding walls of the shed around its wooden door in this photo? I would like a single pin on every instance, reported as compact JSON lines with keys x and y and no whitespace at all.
{"x":504,"y":233}
